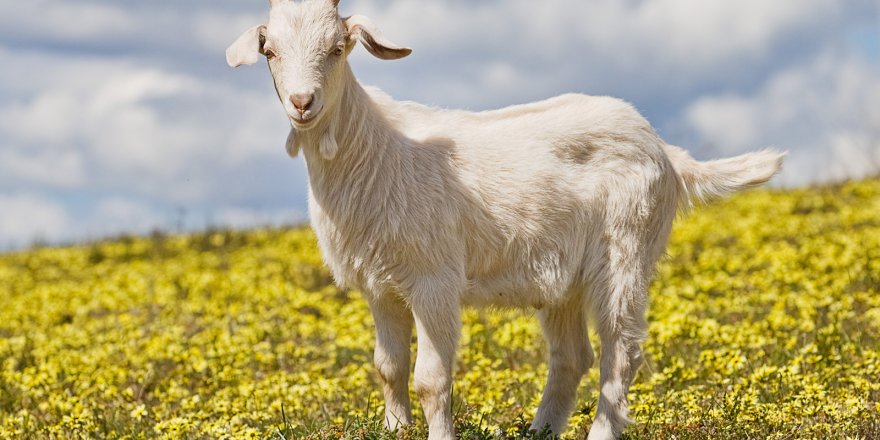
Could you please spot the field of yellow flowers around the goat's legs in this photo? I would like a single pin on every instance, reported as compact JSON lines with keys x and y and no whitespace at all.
{"x":764,"y":323}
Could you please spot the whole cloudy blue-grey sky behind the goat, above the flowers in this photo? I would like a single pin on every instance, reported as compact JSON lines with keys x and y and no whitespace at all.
{"x":122,"y":116}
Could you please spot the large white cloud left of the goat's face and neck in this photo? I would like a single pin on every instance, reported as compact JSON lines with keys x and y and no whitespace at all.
{"x":94,"y":123}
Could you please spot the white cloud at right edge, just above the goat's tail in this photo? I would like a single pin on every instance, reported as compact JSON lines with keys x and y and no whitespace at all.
{"x":825,"y":112}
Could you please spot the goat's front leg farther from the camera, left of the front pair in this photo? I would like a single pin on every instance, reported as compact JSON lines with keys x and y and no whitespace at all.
{"x":393,"y":332}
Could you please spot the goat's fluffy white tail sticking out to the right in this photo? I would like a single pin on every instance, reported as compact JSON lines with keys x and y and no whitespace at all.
{"x":705,"y":181}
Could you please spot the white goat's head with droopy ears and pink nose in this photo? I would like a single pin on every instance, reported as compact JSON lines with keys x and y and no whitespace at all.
{"x":306,"y":44}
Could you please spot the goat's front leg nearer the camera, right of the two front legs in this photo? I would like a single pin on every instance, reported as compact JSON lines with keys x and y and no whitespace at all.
{"x":438,"y":325}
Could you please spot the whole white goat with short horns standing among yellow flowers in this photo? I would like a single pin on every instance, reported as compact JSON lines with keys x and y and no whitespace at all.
{"x":563,"y":205}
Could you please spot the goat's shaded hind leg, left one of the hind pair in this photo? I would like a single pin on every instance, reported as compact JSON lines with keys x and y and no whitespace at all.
{"x":565,"y":329}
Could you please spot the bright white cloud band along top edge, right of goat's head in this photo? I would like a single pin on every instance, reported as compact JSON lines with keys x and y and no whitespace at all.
{"x":667,"y":31}
